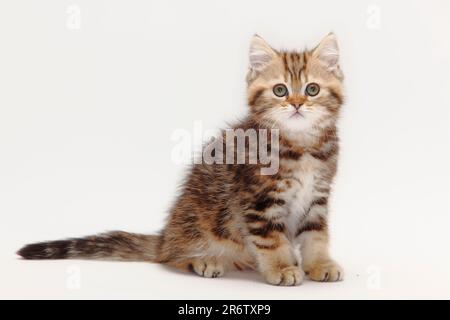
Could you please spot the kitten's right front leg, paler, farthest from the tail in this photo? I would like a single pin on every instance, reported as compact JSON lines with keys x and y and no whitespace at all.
{"x":314,"y":241}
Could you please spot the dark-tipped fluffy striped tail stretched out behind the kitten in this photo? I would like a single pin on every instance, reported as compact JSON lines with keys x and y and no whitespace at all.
{"x":116,"y":245}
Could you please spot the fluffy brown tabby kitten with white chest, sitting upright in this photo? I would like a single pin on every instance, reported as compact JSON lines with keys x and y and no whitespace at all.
{"x":231,"y":216}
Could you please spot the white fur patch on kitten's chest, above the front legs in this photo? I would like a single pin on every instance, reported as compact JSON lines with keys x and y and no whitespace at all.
{"x":300,"y":188}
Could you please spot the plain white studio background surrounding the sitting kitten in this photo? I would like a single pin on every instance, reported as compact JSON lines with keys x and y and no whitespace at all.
{"x":88,"y":105}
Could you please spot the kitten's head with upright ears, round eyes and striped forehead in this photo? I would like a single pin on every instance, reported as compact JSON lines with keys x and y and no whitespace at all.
{"x":295,"y":91}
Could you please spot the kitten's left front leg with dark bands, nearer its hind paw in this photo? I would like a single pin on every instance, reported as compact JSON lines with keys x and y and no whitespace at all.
{"x":274,"y":254}
